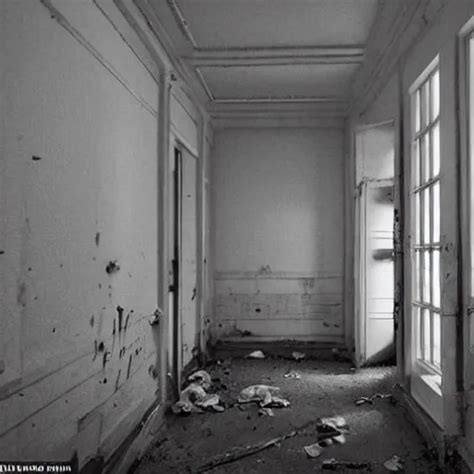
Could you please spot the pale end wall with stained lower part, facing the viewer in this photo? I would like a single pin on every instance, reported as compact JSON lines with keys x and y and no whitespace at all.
{"x":278,"y":233}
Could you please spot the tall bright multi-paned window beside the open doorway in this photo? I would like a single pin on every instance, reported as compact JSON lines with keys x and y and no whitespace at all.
{"x":425,"y":194}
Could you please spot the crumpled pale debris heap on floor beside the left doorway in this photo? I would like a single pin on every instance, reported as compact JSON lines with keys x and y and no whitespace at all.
{"x":194,"y":398}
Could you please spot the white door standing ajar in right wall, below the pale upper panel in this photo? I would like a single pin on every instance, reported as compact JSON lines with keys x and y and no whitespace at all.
{"x":375,"y":272}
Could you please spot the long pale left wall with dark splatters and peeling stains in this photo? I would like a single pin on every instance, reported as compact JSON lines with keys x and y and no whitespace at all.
{"x":89,"y":199}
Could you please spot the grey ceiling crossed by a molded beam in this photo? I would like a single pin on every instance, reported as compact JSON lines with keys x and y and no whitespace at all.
{"x":268,"y":52}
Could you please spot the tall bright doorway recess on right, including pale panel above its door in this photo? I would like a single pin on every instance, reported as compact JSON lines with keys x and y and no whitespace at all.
{"x":374,"y":265}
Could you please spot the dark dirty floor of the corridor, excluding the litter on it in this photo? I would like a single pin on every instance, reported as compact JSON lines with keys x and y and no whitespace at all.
{"x":377,"y":431}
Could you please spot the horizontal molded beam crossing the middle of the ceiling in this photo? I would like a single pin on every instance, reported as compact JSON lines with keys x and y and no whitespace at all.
{"x":235,"y":57}
